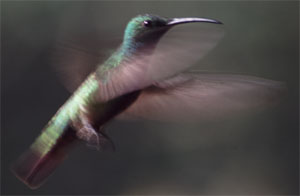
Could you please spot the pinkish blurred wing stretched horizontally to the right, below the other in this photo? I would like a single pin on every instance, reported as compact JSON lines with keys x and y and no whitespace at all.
{"x":203,"y":96}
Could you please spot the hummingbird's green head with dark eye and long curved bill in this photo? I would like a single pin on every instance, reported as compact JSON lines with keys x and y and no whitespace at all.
{"x":146,"y":30}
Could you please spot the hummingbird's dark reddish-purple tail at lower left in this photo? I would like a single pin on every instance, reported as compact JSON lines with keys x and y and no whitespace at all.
{"x":34,"y":167}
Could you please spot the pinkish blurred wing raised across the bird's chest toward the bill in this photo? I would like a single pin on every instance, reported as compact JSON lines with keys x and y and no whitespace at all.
{"x":178,"y":50}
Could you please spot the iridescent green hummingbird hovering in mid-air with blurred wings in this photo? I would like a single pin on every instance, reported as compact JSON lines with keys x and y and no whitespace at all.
{"x":142,"y":78}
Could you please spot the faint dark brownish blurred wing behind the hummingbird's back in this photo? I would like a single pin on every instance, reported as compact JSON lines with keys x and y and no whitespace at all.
{"x":75,"y":59}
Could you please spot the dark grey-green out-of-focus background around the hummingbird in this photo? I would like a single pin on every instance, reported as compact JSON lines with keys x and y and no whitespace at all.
{"x":257,"y":154}
